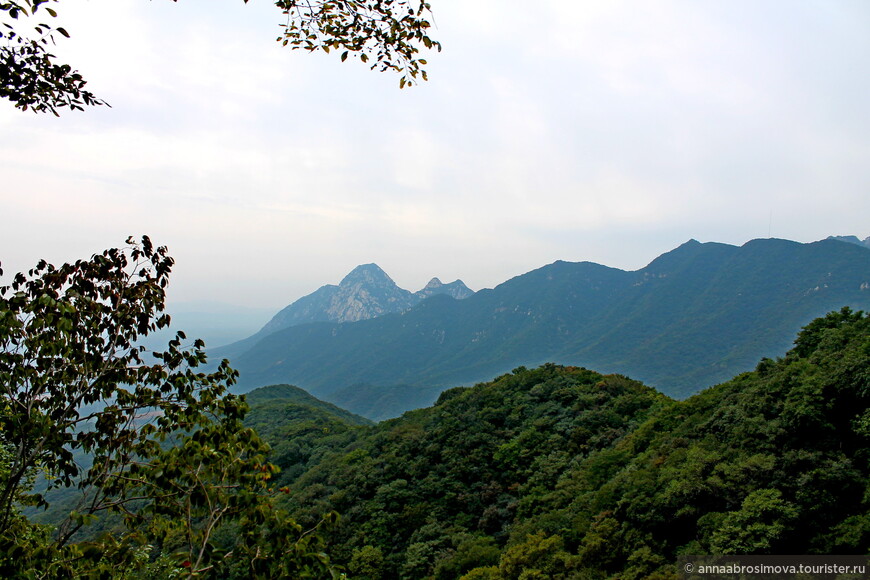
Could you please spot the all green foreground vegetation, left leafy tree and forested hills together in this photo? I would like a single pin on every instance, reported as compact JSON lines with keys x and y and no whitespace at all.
{"x":552,"y":472}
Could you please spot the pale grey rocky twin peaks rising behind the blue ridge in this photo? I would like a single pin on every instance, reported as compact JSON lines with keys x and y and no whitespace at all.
{"x":367,"y":292}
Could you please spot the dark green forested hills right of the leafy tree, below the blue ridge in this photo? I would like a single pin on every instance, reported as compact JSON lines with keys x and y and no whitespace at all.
{"x":561,"y":472}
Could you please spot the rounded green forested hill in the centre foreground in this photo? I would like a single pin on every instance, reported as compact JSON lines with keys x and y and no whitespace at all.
{"x":435,"y":493}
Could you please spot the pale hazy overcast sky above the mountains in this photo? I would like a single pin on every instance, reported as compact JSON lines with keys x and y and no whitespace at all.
{"x":605,"y":131}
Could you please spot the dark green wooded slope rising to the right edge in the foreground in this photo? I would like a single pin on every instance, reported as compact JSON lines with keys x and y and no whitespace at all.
{"x":774,"y":461}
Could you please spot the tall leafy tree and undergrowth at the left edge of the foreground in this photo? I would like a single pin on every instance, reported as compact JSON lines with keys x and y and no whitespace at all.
{"x":170,"y":456}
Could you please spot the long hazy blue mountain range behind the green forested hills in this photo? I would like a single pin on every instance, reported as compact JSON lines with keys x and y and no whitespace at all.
{"x":692,"y":318}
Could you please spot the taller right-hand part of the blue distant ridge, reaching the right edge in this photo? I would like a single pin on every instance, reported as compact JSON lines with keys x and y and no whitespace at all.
{"x":720,"y":310}
